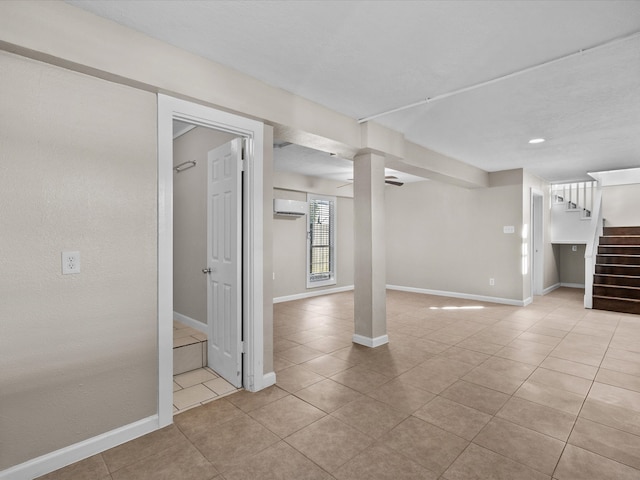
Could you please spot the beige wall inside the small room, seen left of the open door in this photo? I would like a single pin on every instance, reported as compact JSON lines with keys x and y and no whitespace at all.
{"x":190,"y":221}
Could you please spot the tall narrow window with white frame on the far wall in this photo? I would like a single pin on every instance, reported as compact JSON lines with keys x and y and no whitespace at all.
{"x":321,"y":251}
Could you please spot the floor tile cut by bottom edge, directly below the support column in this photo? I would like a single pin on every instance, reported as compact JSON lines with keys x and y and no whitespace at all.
{"x":380,"y":463}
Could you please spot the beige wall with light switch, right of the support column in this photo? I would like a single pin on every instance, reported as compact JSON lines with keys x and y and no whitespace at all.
{"x":451,"y":239}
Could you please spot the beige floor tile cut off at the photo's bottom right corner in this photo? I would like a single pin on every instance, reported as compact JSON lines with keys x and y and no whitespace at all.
{"x":577,"y":463}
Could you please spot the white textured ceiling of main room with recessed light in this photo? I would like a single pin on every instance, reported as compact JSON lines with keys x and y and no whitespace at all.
{"x":365,"y":57}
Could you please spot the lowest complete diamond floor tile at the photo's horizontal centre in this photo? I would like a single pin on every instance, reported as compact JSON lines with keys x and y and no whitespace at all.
{"x":329,"y":443}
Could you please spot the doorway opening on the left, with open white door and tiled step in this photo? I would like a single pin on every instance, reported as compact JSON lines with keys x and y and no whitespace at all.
{"x":207,"y":261}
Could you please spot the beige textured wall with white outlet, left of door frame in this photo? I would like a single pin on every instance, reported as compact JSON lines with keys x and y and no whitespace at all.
{"x":78,"y":171}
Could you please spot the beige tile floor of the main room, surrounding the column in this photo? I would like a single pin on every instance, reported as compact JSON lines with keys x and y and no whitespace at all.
{"x":550,"y":390}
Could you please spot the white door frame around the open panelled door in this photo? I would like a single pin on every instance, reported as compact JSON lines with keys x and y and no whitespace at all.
{"x":170,"y":108}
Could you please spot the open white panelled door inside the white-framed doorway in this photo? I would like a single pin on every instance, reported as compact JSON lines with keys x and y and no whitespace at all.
{"x":224,"y":254}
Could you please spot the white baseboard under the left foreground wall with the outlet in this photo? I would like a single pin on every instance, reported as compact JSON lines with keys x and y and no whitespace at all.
{"x":50,"y":462}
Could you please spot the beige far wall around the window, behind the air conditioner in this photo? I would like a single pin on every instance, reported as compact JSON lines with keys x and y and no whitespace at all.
{"x":290,"y":243}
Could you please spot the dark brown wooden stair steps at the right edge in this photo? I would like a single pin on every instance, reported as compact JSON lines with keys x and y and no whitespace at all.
{"x":616,"y":283}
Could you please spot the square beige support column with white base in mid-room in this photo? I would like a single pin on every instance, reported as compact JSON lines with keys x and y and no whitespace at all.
{"x":370,"y":256}
